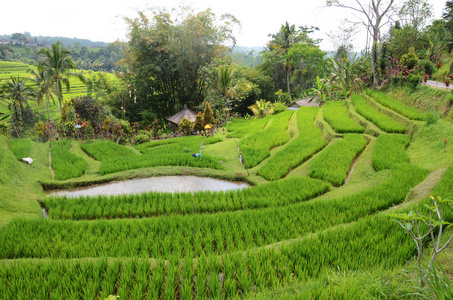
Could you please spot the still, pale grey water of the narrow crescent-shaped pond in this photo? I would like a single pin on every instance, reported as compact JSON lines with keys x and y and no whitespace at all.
{"x":168,"y":184}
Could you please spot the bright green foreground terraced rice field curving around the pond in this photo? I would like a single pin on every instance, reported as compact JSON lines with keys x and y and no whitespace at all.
{"x":316,"y":206}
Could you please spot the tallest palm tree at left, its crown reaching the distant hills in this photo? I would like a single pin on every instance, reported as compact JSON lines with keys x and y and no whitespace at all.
{"x":57,"y":61}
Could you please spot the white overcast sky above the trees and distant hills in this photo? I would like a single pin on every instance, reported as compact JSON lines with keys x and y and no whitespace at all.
{"x":102,"y":20}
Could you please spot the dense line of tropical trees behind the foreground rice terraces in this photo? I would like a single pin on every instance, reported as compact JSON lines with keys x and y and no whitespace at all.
{"x":183,"y":58}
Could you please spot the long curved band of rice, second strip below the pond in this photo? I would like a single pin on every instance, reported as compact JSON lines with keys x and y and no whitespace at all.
{"x":202,"y":234}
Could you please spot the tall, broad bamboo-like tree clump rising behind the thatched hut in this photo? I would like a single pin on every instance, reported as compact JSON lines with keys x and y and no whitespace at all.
{"x":166,"y":54}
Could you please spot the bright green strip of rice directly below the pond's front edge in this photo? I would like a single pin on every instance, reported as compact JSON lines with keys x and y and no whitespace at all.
{"x":152,"y":204}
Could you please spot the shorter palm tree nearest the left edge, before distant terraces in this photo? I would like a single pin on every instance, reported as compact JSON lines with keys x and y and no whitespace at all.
{"x":17,"y":92}
